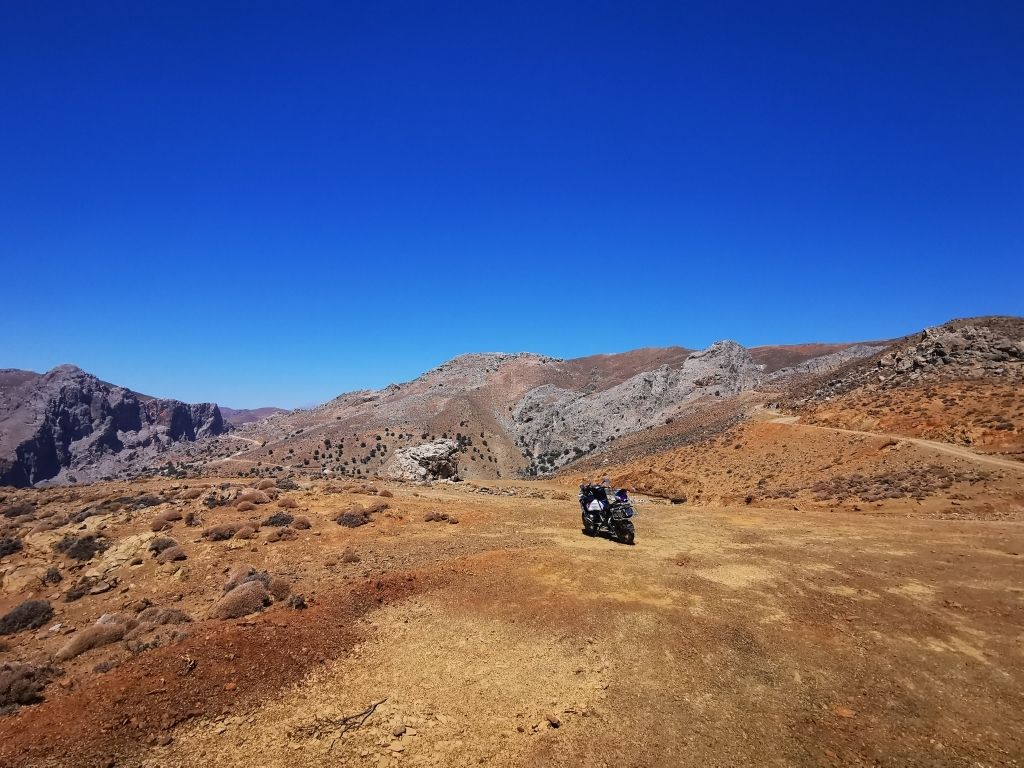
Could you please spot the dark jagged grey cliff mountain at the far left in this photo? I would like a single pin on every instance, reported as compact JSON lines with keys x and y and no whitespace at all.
{"x":68,"y":425}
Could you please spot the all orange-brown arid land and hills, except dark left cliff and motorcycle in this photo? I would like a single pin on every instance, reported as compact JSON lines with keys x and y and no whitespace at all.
{"x":829,"y":570}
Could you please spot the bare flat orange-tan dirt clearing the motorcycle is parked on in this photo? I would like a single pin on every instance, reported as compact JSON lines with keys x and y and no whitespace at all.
{"x":723,"y":637}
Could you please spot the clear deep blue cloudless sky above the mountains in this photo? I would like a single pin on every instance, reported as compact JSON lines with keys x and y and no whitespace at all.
{"x":274,"y":203}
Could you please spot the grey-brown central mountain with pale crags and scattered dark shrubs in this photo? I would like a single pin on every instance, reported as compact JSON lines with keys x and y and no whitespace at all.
{"x":516,"y":414}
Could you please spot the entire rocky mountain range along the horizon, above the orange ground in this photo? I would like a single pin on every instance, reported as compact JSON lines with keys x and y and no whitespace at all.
{"x":479,"y":416}
